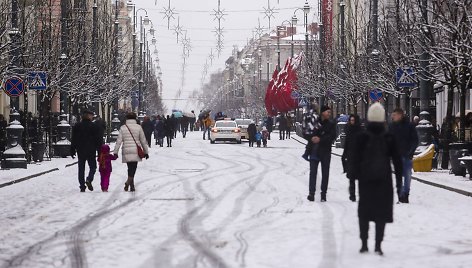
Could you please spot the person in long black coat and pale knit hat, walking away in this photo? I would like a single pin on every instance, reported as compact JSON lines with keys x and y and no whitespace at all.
{"x":373,"y":153}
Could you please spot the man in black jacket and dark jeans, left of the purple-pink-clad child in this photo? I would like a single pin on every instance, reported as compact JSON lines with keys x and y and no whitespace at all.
{"x":86,"y":142}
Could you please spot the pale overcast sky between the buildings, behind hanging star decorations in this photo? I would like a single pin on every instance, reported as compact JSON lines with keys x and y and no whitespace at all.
{"x":196,"y":17}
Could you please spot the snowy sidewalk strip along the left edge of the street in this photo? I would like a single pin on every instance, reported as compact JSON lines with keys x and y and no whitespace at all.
{"x":12,"y":176}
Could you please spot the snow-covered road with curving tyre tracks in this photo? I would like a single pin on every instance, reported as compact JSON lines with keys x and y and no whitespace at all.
{"x":222,"y":205}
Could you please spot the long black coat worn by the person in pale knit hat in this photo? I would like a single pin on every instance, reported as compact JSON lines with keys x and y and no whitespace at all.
{"x":376,"y":195}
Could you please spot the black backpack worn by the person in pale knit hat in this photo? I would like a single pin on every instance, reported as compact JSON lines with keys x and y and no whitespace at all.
{"x":375,"y":162}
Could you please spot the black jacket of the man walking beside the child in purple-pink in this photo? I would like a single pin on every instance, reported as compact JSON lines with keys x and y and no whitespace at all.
{"x":86,"y":139}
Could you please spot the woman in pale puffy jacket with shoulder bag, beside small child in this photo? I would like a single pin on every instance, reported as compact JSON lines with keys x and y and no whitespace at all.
{"x":130,"y":137}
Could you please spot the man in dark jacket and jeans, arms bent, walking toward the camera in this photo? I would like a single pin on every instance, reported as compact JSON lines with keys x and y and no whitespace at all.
{"x":322,"y":140}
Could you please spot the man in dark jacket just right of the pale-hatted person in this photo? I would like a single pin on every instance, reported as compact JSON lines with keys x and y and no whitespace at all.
{"x":406,"y":139}
